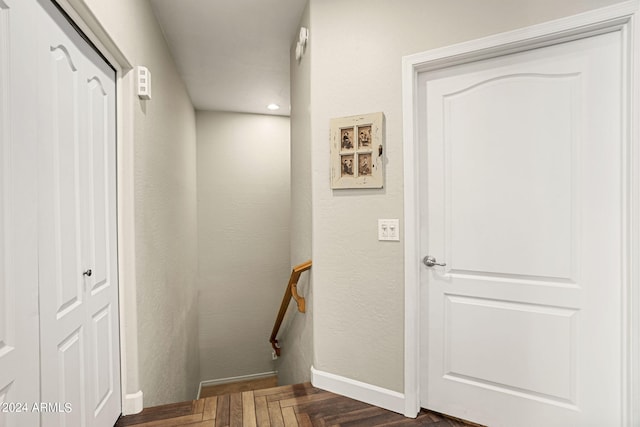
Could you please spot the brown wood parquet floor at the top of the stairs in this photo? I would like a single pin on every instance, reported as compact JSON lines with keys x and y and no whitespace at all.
{"x":297,"y":405}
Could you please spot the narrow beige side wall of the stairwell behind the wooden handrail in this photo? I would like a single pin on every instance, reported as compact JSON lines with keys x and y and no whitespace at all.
{"x":296,"y":338}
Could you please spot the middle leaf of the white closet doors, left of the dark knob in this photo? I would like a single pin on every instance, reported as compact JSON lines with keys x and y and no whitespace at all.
{"x":63,"y":269}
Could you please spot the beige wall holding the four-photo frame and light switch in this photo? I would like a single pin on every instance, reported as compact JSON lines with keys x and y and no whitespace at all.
{"x":355,"y":69}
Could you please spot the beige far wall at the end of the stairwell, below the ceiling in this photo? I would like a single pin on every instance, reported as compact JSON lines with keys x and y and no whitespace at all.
{"x":243,"y":239}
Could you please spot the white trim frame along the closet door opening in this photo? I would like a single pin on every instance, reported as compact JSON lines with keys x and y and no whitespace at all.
{"x":86,"y":21}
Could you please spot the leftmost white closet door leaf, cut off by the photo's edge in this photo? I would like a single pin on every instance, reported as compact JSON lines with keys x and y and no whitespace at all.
{"x":19,"y":360}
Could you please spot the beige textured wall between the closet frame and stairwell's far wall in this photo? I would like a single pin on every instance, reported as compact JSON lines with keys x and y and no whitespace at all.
{"x":165,"y":208}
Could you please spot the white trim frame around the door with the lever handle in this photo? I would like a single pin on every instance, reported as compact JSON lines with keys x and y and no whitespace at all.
{"x":622,"y":18}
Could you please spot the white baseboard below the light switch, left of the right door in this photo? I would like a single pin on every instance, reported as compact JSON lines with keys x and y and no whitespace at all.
{"x":368,"y":393}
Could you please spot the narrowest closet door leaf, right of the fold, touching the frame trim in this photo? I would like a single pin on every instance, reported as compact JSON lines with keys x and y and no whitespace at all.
{"x":100,"y":196}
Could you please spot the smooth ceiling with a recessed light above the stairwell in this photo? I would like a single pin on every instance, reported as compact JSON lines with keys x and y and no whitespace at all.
{"x":233,"y":55}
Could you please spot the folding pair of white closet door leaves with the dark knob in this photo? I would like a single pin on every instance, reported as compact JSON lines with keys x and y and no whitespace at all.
{"x":78,"y":283}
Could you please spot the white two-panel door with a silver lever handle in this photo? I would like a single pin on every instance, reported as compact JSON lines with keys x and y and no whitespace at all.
{"x":523,"y":169}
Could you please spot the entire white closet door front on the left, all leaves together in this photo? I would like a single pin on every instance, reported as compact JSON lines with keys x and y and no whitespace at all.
{"x":58,"y":202}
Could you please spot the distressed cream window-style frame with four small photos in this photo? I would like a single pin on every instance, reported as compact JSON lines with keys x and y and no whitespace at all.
{"x":357,"y":159}
